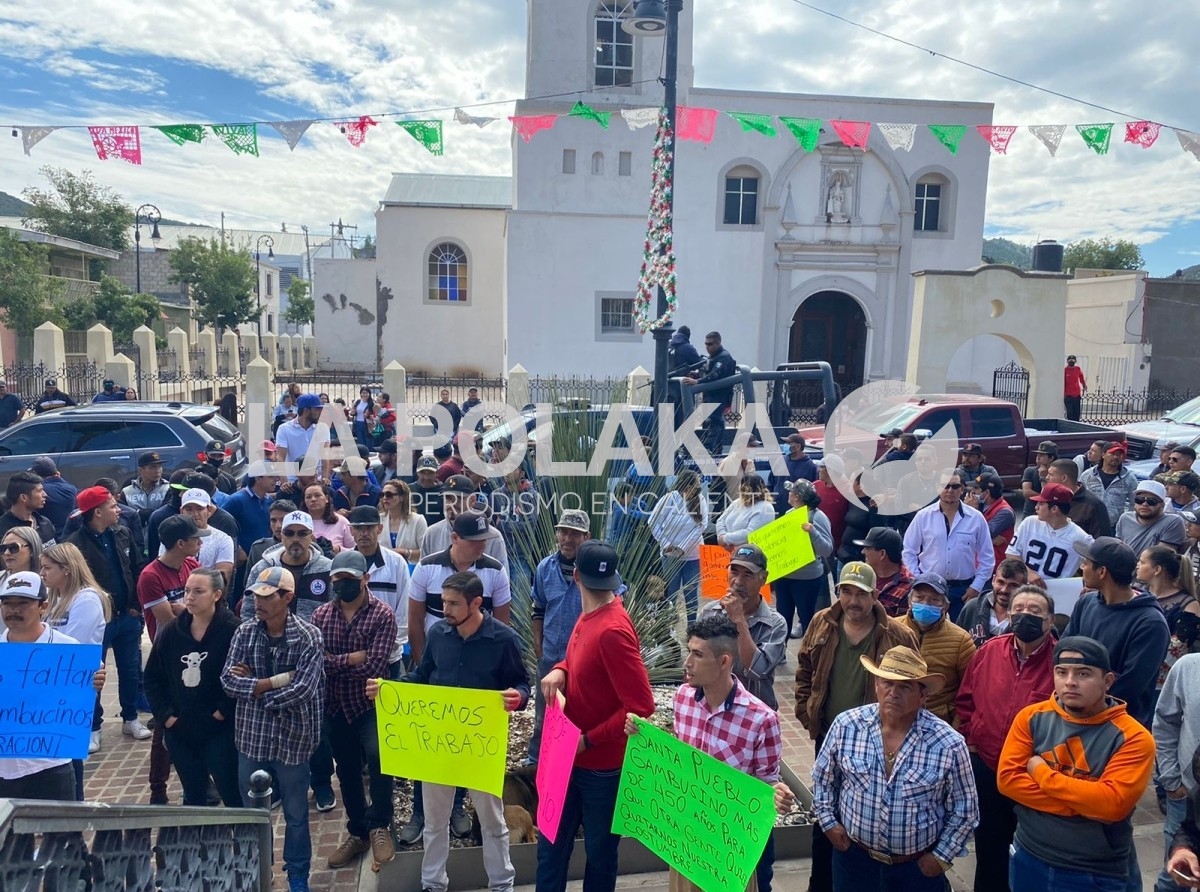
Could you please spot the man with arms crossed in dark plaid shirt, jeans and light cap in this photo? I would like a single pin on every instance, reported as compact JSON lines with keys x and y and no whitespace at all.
{"x":277,"y":673}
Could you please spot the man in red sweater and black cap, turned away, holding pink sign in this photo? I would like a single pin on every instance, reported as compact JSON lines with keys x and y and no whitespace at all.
{"x":603,"y":680}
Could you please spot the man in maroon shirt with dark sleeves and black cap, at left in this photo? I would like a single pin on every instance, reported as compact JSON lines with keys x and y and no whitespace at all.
{"x":161,"y":595}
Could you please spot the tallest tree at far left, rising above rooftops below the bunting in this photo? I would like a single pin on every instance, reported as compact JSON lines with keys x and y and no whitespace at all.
{"x":76,"y":207}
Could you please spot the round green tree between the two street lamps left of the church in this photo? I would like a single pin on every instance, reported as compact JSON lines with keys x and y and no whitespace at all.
{"x":220,"y":279}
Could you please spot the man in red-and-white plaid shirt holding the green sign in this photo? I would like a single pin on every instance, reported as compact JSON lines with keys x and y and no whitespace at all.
{"x":717,"y":715}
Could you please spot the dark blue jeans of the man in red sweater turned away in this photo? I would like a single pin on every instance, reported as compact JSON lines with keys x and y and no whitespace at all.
{"x":591,"y":801}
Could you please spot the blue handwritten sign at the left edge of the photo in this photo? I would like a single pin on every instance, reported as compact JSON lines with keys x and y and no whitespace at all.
{"x":47,"y":701}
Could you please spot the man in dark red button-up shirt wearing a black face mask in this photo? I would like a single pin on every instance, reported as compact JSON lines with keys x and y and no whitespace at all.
{"x":1007,"y":674}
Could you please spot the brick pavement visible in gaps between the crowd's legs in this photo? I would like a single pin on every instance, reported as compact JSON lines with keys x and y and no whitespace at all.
{"x":118,"y":775}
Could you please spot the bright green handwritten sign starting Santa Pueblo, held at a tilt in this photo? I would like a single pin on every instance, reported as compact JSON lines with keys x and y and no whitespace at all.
{"x":706,"y":819}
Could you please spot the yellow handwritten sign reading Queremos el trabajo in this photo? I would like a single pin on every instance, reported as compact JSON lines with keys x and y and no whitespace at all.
{"x":443,"y":735}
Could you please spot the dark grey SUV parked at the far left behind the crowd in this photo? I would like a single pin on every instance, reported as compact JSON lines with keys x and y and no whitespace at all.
{"x":106,"y":439}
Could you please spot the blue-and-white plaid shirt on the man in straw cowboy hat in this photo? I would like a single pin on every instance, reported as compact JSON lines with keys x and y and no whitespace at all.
{"x":928,"y":805}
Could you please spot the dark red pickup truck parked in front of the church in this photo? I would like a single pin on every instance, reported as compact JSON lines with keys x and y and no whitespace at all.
{"x":1009,"y":441}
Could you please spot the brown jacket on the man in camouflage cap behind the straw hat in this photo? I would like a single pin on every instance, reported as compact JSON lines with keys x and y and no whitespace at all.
{"x":817,"y":656}
